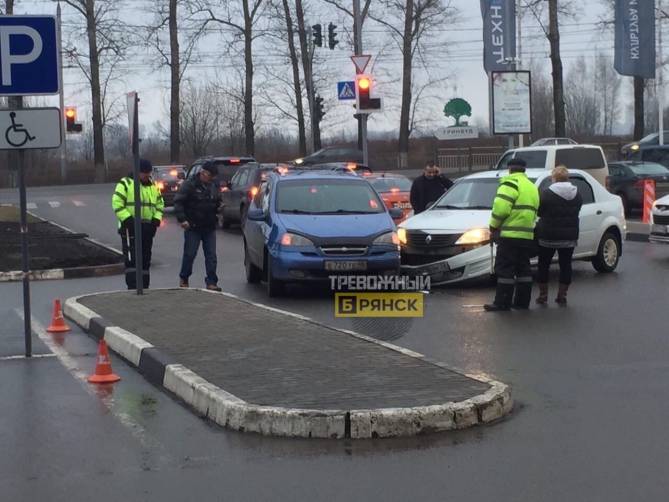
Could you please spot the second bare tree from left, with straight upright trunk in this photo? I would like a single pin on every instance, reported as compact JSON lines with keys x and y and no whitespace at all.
{"x":176,"y":53}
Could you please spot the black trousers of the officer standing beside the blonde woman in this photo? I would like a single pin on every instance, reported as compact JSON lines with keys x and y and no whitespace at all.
{"x":514,"y":274}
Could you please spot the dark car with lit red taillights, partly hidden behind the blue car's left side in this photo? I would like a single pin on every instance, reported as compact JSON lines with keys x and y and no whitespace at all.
{"x":237,"y":193}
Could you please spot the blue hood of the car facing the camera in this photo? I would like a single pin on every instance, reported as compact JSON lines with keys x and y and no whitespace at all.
{"x":337,"y":225}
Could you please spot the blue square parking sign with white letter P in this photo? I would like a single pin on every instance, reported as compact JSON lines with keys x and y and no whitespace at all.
{"x":28,"y":55}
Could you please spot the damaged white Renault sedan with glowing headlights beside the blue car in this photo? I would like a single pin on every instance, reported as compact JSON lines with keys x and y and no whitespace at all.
{"x":450,"y":241}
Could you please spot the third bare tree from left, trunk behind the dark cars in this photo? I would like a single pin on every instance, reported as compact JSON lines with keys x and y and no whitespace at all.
{"x":251,"y":12}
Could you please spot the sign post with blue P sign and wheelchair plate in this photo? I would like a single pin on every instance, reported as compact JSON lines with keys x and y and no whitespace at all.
{"x":28,"y":66}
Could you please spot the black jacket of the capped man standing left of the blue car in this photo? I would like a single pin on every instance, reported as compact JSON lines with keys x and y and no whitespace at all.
{"x":198,"y":204}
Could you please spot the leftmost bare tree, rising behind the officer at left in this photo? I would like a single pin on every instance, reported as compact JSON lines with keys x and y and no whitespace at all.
{"x":107,"y":42}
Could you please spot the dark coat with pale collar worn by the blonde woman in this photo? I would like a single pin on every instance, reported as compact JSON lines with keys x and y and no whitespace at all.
{"x":558,"y":223}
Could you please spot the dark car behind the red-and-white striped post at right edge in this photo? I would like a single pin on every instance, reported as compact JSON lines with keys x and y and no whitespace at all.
{"x":626,"y":180}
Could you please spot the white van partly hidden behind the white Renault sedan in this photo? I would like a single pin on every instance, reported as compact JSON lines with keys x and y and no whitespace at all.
{"x":588,"y":158}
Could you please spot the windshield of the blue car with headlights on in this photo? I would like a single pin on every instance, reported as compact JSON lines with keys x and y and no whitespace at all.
{"x":327,"y":197}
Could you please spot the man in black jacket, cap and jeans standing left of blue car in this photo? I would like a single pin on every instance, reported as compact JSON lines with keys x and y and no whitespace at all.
{"x":196,"y":206}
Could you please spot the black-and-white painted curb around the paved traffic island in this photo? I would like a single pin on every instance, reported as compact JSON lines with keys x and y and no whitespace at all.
{"x":227,"y":410}
